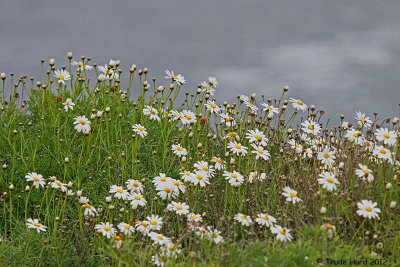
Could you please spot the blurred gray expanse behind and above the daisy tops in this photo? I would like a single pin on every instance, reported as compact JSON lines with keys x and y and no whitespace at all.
{"x":341,"y":56}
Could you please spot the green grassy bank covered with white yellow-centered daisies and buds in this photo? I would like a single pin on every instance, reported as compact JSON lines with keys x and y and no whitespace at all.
{"x":233,"y":178}
